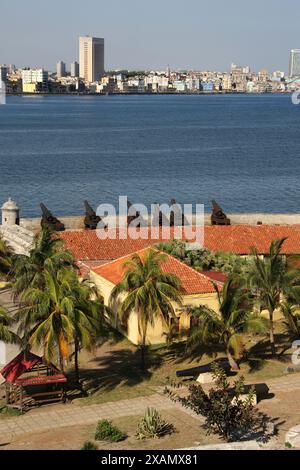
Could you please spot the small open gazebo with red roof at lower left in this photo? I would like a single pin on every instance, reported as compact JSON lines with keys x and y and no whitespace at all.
{"x":30,"y":381}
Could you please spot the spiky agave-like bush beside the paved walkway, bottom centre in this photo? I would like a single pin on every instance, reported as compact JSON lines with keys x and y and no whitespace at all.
{"x":153,"y":426}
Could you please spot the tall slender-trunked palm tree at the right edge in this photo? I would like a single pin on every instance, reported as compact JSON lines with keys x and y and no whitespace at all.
{"x":271,"y":281}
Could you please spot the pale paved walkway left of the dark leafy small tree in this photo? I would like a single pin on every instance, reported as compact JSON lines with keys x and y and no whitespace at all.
{"x":71,"y":415}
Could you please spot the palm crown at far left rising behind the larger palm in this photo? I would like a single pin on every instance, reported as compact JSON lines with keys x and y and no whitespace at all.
{"x":28,"y":271}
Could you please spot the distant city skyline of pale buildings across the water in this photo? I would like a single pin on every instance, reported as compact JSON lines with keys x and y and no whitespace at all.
{"x":88,"y":77}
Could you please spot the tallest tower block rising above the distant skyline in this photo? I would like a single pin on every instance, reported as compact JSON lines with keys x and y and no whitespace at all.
{"x":91,"y":55}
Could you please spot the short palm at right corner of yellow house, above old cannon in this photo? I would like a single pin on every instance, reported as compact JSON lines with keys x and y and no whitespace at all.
{"x":226,"y":327}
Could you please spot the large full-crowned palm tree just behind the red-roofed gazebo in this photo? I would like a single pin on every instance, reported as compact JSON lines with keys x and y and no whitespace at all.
{"x":62,"y":314}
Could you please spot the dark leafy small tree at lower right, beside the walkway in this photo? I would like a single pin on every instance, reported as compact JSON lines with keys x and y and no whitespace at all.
{"x":225,"y":412}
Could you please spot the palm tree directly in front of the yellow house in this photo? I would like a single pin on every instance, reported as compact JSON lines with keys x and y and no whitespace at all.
{"x":150,"y":293}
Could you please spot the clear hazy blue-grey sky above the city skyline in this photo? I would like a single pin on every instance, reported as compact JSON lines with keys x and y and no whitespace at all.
{"x":140,"y":34}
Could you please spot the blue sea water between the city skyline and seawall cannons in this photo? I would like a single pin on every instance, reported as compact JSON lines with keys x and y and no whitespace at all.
{"x":242,"y":150}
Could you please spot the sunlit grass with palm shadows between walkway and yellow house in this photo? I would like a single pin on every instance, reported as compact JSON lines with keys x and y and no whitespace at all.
{"x":113,"y":371}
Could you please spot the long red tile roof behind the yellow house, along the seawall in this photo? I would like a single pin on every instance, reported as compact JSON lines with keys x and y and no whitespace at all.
{"x":86,"y":246}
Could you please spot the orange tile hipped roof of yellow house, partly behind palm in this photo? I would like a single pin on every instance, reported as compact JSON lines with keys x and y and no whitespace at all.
{"x":192,"y":282}
